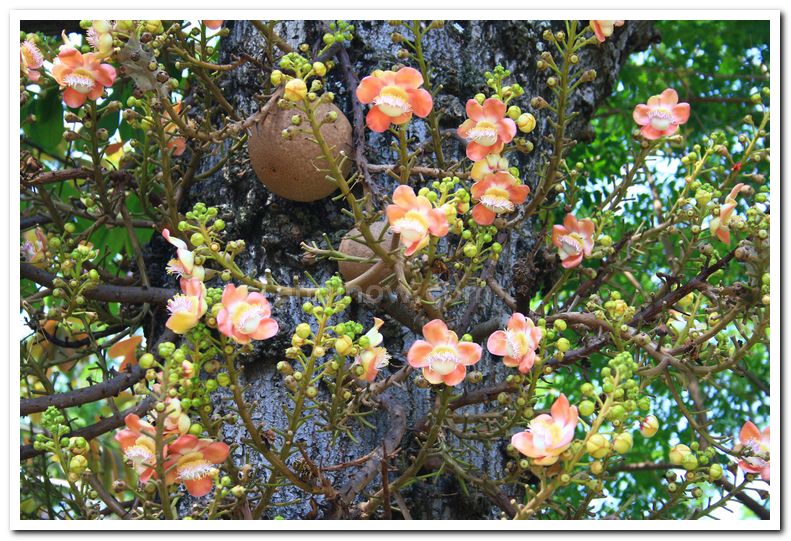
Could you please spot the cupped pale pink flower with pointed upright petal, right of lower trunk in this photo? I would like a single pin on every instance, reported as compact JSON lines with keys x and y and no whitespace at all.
{"x":548,"y":435}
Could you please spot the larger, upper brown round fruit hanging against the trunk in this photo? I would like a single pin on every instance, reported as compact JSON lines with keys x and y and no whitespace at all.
{"x":294,"y":168}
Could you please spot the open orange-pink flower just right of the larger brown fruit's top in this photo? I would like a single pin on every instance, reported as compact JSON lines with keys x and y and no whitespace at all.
{"x":395,"y":95}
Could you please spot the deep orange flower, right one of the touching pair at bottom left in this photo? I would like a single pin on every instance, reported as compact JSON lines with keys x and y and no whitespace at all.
{"x":192,"y":462}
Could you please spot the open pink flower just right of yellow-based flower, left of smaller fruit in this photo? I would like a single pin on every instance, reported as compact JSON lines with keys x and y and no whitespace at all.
{"x":245,"y":316}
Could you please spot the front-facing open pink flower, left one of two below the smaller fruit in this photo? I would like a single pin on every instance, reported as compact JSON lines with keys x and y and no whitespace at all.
{"x":442,"y":357}
